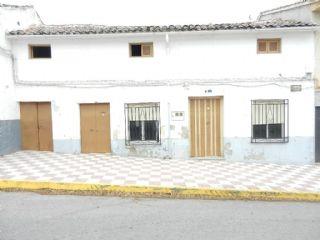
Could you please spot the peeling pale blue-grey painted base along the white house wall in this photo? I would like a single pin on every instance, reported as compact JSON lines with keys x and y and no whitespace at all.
{"x":299,"y":150}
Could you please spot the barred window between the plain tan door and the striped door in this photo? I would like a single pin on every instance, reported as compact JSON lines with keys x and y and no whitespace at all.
{"x":142,"y":123}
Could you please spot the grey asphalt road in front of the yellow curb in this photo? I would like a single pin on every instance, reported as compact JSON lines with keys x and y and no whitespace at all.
{"x":32,"y":216}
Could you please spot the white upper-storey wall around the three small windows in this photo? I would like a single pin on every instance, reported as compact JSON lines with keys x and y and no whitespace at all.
{"x":190,"y":56}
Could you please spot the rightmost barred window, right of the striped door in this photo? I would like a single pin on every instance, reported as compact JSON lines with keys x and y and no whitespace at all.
{"x":269,"y":121}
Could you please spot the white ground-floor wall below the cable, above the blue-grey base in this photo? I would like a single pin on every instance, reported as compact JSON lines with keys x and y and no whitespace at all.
{"x":237,"y":105}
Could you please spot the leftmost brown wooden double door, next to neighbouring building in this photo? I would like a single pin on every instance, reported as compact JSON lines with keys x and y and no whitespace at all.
{"x":36,"y":126}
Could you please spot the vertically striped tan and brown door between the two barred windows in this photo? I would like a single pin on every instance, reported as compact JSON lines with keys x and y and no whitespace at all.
{"x":205,"y":127}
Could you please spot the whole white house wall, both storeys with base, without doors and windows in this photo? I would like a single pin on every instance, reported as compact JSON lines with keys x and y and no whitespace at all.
{"x":225,"y":63}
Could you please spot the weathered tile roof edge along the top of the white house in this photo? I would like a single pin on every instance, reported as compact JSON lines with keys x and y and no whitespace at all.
{"x":104,"y":29}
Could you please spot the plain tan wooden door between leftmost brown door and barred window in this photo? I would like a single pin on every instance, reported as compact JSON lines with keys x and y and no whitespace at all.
{"x":95,"y":128}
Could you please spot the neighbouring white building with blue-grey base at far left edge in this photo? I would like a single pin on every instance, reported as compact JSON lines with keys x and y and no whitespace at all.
{"x":11,"y":17}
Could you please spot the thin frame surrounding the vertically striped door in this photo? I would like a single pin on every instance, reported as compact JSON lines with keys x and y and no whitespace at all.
{"x":221,"y":125}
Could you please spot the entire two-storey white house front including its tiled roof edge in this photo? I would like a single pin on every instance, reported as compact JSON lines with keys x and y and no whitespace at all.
{"x":239,"y":92}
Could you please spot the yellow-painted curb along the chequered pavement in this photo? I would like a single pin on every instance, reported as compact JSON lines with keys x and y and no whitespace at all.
{"x":141,"y":191}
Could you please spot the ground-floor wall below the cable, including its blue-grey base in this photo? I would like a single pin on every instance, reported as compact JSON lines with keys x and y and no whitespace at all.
{"x":236,"y":115}
